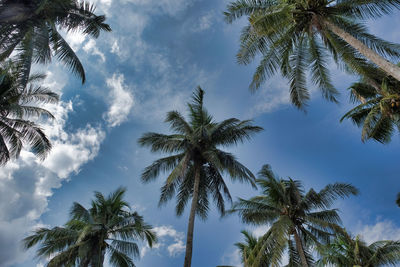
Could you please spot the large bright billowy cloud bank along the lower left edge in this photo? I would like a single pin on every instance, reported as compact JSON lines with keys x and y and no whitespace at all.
{"x":26,"y":184}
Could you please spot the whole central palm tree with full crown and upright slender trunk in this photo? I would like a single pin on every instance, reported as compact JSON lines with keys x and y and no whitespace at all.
{"x":197,"y":163}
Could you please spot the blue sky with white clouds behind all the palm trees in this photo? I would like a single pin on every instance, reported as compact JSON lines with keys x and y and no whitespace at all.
{"x":158,"y":52}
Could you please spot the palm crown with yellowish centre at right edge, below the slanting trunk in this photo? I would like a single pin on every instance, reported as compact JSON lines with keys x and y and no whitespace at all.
{"x":378,"y":111}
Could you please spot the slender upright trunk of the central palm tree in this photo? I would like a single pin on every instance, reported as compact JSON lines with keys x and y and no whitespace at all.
{"x":189,"y":238}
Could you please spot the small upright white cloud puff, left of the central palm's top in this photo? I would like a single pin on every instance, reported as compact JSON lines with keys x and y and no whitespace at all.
{"x":121,"y":101}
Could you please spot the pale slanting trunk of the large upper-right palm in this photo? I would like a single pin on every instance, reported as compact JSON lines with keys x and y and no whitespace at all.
{"x":381,"y":62}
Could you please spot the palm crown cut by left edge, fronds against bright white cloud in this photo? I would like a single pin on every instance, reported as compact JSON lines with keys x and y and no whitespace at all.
{"x":17,"y":103}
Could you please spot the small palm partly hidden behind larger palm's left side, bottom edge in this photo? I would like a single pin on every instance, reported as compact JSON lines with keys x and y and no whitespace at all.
{"x":247,"y":251}
